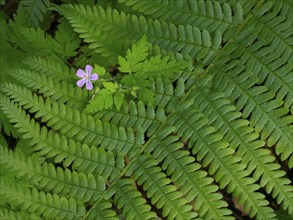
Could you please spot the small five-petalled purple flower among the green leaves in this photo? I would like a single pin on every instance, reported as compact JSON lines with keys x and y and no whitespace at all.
{"x":87,"y":77}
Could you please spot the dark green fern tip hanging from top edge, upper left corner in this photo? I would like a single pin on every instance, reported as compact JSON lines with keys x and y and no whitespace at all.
{"x":35,"y":10}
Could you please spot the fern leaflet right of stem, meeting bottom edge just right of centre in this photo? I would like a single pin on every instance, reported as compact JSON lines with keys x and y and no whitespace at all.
{"x":165,"y":195}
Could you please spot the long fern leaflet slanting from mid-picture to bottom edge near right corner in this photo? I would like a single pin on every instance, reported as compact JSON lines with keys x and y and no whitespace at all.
{"x":208,"y":144}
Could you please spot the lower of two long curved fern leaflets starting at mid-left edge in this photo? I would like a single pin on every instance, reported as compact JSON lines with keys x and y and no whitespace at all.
{"x":81,"y":157}
